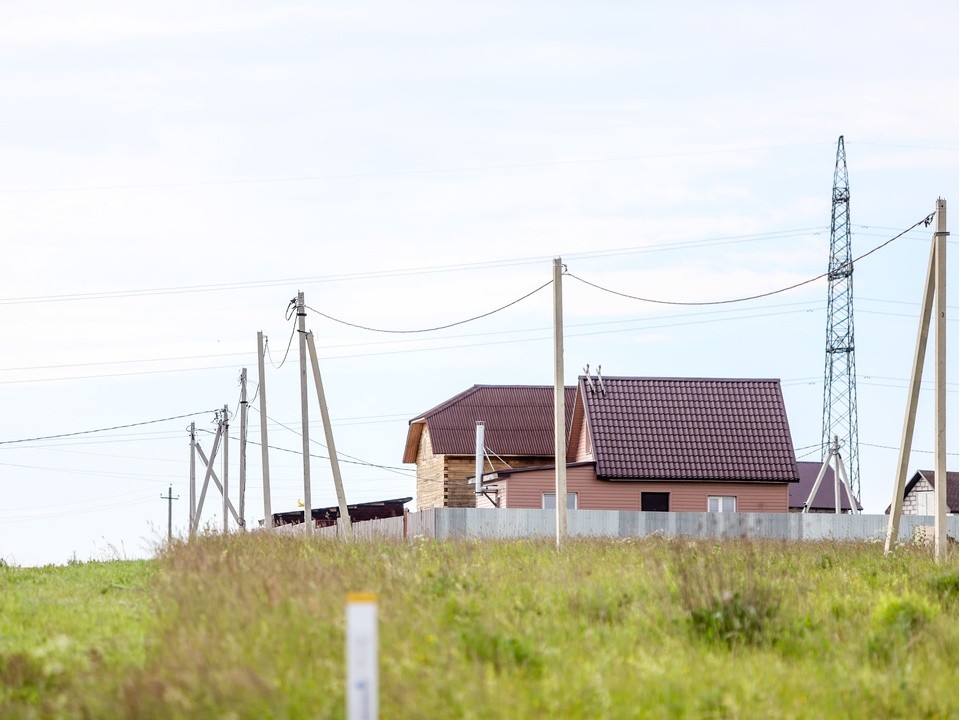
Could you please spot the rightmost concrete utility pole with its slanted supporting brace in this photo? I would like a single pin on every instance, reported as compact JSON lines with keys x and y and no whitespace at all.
{"x":935,"y":287}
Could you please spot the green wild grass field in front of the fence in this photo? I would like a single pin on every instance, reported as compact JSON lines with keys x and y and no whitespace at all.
{"x":252,"y":626}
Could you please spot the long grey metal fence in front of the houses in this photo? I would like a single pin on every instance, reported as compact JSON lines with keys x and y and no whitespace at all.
{"x":508,"y":524}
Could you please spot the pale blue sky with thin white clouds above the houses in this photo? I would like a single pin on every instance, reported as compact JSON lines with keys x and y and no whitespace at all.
{"x":173,"y":173}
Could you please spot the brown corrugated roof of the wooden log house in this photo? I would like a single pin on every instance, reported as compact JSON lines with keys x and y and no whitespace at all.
{"x":518,"y":421}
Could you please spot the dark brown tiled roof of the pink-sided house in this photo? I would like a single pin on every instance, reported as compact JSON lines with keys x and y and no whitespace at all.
{"x":689,"y":429}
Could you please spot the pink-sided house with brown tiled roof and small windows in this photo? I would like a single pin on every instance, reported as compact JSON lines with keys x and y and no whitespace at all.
{"x":666,"y":444}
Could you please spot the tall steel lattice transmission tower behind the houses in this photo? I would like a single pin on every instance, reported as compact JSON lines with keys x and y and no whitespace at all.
{"x":840,"y":370}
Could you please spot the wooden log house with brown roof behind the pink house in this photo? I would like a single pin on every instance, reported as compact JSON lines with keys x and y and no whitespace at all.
{"x":518,"y":432}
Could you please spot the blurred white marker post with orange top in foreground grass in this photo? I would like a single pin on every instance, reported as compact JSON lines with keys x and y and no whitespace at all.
{"x":363,"y":692}
